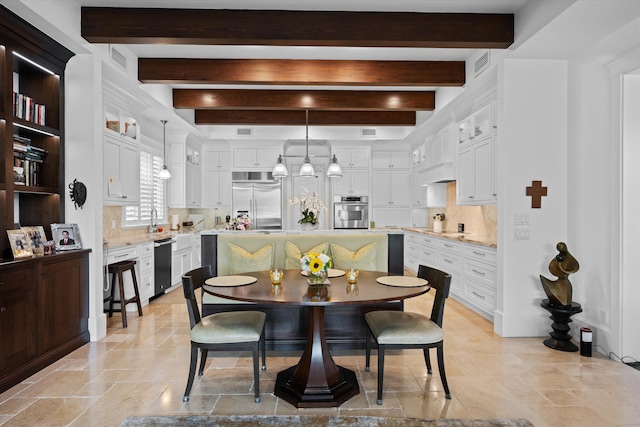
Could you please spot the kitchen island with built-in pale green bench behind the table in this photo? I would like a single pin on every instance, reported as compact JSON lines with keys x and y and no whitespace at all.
{"x":286,"y":327}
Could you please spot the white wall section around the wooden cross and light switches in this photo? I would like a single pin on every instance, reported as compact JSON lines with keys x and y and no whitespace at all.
{"x":531,"y":145}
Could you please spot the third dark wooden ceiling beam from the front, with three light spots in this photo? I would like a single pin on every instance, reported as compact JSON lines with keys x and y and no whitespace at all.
{"x":220,"y":99}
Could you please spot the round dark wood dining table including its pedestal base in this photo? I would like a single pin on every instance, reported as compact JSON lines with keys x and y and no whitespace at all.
{"x":316,"y":381}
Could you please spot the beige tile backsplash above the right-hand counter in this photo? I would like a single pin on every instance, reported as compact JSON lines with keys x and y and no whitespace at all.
{"x":480,"y":220}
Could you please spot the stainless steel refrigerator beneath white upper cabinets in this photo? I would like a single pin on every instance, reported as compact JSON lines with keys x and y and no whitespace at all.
{"x":259,"y":197}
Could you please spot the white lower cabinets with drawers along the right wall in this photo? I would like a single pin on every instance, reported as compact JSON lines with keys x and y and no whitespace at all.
{"x":472,"y":267}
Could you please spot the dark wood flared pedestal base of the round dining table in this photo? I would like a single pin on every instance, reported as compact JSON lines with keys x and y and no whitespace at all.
{"x":316,"y":381}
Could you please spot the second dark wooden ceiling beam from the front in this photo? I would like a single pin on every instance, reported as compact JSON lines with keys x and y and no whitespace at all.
{"x":301,"y":72}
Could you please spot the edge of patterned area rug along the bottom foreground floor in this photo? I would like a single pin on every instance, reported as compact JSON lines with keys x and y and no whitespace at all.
{"x":313,"y":420}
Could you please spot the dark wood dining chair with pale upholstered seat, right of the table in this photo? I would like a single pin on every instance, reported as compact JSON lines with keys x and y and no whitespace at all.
{"x":406,"y":330}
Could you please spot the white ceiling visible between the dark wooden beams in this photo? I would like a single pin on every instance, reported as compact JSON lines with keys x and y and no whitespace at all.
{"x":311,"y":52}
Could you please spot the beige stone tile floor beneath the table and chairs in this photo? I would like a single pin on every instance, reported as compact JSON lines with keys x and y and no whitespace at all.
{"x":142,"y":370}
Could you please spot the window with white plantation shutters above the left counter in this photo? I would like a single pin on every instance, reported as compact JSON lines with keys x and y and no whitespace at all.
{"x":151,"y":192}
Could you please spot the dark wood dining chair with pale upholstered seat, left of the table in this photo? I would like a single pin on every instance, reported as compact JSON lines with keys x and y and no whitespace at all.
{"x":221,"y":331}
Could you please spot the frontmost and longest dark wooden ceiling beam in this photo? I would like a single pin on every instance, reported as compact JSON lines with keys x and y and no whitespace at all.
{"x":296,"y":28}
